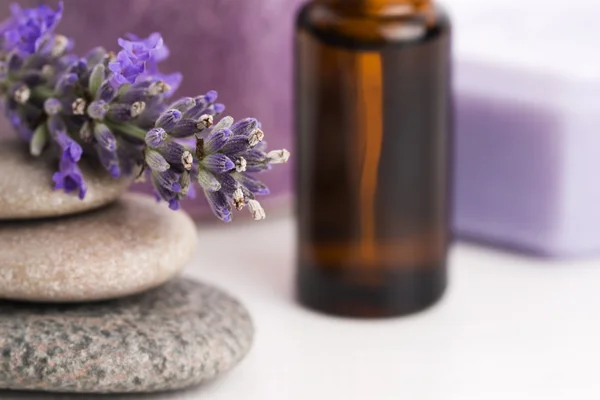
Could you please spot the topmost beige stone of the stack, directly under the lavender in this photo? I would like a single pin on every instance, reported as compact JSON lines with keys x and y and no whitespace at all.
{"x":26,"y":186}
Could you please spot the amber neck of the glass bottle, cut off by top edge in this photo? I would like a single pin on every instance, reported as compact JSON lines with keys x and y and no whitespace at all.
{"x":377,"y":7}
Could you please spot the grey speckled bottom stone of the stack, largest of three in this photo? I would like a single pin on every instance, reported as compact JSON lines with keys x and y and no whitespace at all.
{"x":172,"y":337}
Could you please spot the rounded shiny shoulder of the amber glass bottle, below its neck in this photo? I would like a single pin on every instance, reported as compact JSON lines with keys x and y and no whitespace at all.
{"x":372,"y":31}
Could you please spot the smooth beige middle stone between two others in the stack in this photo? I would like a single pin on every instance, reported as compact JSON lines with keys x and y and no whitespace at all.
{"x":127,"y":247}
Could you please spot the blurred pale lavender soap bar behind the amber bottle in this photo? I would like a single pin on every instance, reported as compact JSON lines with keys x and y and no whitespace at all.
{"x":527,"y":152}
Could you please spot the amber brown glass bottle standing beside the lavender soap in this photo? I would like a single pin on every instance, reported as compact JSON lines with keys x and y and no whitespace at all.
{"x":373,"y":139}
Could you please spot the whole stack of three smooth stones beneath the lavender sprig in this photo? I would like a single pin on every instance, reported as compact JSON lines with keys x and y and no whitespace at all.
{"x":92,"y":298}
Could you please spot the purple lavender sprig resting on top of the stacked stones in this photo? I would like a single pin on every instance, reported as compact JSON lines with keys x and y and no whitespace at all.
{"x":116,"y":108}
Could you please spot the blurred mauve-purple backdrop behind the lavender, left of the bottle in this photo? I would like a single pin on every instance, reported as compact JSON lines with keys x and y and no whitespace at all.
{"x":241,"y":48}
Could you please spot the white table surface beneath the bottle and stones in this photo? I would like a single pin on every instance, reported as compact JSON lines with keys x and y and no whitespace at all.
{"x":509,"y":328}
